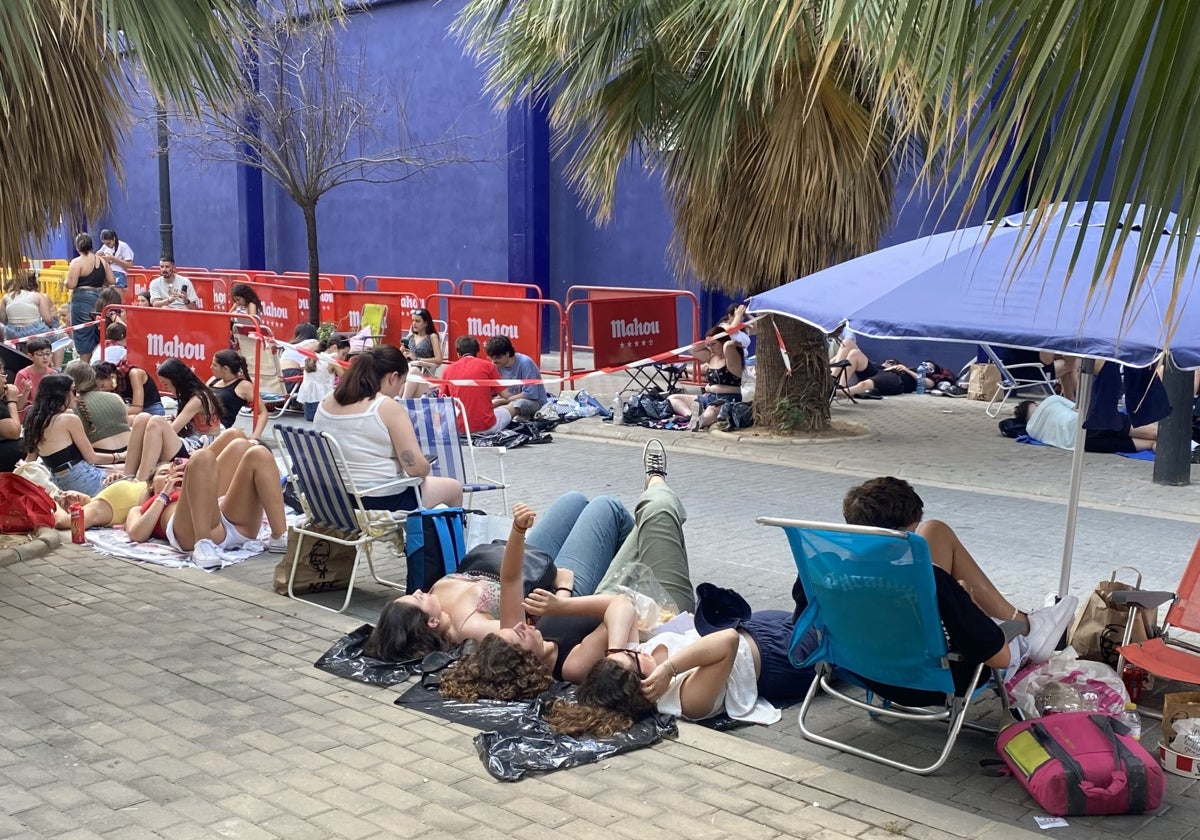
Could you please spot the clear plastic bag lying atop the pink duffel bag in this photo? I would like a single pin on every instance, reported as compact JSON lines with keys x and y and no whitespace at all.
{"x":1087,"y":685}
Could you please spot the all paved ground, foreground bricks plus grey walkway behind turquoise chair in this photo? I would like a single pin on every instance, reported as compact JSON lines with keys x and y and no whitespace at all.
{"x":184,"y":705}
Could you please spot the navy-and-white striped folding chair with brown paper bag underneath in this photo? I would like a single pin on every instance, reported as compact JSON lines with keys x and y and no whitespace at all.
{"x":334,"y":506}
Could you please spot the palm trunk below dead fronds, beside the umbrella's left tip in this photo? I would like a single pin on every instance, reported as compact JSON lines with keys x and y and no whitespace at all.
{"x":799,"y":403}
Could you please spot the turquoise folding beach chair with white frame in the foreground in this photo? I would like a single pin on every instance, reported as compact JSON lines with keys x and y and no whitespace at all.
{"x":872,"y":598}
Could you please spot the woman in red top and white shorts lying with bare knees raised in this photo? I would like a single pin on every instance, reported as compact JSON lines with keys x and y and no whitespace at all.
{"x":214,"y":501}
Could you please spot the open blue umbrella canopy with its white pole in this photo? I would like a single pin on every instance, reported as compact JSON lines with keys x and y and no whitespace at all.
{"x":968,"y":286}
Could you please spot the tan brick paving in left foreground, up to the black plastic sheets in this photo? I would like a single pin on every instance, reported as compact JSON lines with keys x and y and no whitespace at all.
{"x":149,"y":704}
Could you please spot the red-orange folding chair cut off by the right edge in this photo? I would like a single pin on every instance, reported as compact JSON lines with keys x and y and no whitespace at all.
{"x":1166,"y":656}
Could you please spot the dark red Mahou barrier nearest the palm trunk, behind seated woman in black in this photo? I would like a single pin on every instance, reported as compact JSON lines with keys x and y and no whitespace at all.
{"x":629,"y":325}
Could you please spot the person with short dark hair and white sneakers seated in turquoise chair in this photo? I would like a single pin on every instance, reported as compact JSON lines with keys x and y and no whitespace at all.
{"x":971,"y":607}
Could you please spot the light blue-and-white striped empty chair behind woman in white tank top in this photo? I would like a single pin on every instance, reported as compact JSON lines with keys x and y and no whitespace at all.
{"x":437,"y":433}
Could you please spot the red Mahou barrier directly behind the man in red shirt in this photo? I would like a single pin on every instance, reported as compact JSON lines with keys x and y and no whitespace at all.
{"x":520,"y":320}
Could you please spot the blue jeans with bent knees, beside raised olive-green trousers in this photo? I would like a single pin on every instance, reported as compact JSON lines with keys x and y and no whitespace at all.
{"x":583,"y":536}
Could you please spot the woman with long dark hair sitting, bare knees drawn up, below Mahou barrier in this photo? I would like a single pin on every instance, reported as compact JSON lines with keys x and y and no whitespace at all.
{"x":155,"y":441}
